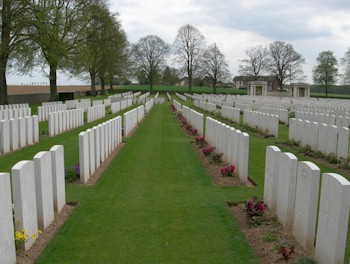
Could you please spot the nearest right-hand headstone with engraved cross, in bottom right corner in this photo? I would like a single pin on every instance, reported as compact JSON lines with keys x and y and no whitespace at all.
{"x":333,"y":219}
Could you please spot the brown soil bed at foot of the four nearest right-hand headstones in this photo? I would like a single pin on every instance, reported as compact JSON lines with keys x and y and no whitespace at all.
{"x":267,"y":252}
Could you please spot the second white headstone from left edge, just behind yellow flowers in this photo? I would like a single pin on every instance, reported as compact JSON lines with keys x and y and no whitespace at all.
{"x":24,"y":199}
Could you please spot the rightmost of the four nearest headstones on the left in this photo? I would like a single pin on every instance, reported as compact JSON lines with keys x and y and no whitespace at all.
{"x":58,"y":179}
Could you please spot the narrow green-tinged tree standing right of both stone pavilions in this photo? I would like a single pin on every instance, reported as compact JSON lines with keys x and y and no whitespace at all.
{"x":326,"y":70}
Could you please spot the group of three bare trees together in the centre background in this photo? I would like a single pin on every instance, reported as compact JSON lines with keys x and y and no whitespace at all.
{"x":190,"y":53}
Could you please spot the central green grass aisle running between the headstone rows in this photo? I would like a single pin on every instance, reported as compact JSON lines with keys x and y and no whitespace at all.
{"x":155,"y":203}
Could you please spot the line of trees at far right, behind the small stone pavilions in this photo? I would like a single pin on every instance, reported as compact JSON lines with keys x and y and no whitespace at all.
{"x":279,"y":59}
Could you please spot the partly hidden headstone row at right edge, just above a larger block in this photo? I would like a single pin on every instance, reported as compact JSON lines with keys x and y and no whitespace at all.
{"x":339,"y":121}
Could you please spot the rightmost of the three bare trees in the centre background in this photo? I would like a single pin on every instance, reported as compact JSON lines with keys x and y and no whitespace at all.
{"x":214,"y":66}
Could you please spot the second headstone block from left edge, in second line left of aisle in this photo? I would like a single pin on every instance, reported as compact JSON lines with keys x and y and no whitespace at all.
{"x":59,"y":122}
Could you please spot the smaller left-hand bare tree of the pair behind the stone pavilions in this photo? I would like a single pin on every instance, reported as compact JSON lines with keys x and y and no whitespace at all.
{"x":256,"y":62}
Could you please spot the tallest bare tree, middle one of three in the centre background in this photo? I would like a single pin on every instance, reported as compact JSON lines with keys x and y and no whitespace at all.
{"x":188,"y":47}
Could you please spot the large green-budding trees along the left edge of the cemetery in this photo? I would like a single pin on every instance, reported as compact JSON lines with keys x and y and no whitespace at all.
{"x":78,"y":36}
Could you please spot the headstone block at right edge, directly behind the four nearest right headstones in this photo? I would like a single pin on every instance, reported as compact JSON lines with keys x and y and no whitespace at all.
{"x":320,"y":137}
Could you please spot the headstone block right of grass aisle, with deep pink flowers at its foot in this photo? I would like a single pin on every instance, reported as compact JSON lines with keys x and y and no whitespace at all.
{"x":232,"y":143}
